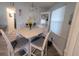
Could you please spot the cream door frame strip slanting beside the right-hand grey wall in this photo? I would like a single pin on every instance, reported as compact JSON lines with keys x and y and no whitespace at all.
{"x":74,"y":30}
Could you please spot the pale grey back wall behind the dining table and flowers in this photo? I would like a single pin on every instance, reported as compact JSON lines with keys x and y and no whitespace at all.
{"x":25,"y":14}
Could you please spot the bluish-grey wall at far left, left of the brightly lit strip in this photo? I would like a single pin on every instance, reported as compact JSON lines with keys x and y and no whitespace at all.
{"x":3,"y":13}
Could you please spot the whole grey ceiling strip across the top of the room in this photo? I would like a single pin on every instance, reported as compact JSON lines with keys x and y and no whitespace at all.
{"x":43,"y":5}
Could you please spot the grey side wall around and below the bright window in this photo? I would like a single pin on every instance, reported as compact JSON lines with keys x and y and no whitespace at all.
{"x":60,"y":43}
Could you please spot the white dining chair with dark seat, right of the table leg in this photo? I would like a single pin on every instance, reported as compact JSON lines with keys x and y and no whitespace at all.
{"x":39,"y":44}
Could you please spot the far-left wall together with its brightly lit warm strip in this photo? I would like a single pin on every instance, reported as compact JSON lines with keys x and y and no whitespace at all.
{"x":5,"y":19}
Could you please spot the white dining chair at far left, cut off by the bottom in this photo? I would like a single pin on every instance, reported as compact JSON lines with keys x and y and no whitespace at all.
{"x":18,"y":51}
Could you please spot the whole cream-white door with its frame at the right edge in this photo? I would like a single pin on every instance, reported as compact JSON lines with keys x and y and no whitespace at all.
{"x":72,"y":47}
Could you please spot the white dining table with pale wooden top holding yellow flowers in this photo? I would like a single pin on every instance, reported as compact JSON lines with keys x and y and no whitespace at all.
{"x":29,"y":33}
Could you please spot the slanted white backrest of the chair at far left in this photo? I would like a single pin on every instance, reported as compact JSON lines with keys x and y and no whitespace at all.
{"x":9,"y":46}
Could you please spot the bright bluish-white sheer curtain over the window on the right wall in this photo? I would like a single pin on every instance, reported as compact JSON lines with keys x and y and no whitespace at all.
{"x":57,"y":19}
